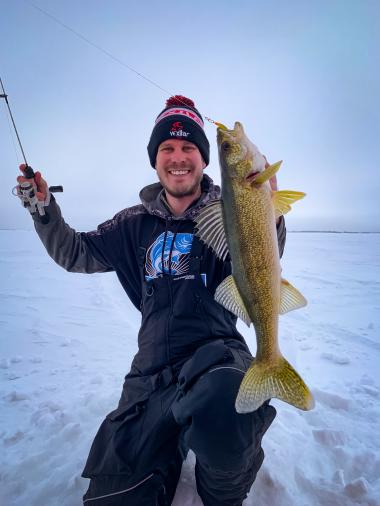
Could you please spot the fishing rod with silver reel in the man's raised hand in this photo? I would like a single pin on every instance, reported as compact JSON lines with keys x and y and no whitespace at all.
{"x":26,"y":190}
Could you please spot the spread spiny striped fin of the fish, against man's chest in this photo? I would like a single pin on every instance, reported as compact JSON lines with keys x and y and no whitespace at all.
{"x":210,"y":228}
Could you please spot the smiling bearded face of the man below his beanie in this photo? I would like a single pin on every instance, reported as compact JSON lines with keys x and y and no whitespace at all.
{"x":179,"y":166}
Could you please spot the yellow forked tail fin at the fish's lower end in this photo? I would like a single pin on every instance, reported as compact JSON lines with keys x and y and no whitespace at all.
{"x":265,"y":380}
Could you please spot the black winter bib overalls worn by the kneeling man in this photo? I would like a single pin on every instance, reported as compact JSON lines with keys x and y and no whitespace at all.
{"x":171,"y":402}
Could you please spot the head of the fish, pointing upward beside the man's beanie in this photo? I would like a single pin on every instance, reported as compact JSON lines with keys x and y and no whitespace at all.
{"x":238,"y":156}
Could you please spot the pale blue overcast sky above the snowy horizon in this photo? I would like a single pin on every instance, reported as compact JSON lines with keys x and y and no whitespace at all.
{"x":302,"y":77}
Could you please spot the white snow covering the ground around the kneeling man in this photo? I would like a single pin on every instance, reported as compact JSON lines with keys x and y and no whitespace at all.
{"x":67,"y":341}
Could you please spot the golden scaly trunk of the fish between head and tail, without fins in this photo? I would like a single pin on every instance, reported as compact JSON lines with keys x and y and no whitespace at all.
{"x":254,"y":251}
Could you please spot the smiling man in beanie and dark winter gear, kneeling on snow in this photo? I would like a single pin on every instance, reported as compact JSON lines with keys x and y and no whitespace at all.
{"x":181,"y":389}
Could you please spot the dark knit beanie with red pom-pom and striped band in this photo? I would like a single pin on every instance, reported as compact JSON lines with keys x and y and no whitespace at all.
{"x":179,"y":120}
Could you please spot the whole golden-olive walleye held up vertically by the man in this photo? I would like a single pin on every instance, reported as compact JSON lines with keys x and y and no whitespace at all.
{"x":243,"y":224}
